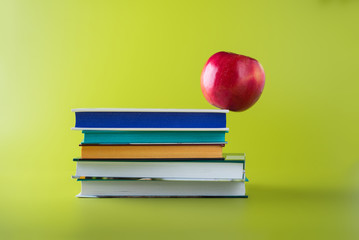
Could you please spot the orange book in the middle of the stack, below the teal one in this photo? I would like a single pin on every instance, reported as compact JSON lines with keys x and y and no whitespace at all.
{"x":151,"y":151}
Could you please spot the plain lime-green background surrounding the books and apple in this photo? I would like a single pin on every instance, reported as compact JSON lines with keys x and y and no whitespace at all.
{"x":300,"y":138}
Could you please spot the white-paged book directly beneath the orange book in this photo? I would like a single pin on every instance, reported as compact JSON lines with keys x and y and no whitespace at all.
{"x":173,"y":169}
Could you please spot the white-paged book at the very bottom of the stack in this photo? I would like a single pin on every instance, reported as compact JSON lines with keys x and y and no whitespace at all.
{"x":150,"y":188}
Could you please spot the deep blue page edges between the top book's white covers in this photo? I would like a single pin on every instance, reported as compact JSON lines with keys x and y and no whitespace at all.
{"x":150,"y":120}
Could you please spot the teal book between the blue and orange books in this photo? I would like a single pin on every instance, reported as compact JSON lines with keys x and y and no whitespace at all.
{"x":127,"y":137}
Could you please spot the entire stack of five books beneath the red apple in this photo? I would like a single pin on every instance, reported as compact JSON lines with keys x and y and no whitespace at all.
{"x":156,"y":153}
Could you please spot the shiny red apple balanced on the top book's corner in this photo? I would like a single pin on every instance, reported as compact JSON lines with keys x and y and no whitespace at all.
{"x":232,"y":81}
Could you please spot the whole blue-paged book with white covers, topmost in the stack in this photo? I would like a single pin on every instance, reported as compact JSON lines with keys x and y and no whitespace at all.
{"x":150,"y":119}
